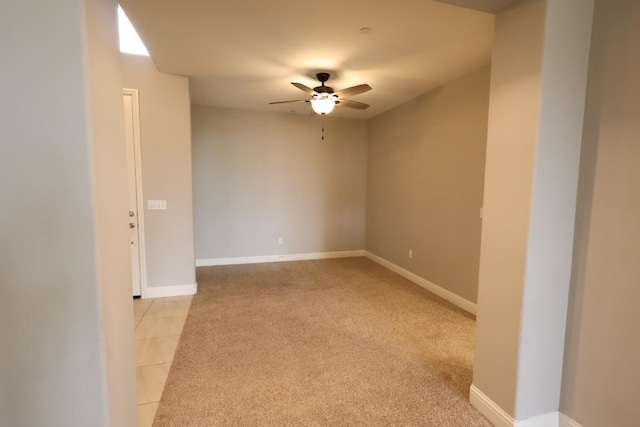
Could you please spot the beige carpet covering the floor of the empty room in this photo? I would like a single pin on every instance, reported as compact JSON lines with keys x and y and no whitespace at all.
{"x":341,"y":342}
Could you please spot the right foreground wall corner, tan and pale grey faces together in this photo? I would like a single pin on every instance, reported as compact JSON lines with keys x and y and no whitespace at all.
{"x":536,"y":110}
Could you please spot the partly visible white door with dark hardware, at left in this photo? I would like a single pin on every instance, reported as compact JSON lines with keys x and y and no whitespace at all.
{"x":136,"y":232}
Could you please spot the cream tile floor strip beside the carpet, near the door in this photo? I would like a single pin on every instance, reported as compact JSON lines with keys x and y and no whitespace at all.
{"x":158,"y":323}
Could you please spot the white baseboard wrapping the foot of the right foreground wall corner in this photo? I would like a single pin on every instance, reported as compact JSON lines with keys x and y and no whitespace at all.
{"x":500,"y":418}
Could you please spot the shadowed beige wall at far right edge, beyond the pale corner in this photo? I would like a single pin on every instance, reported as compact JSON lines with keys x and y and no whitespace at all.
{"x":601,"y":375}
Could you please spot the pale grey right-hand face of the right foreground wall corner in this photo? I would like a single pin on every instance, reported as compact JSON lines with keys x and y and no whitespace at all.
{"x":567,"y":30}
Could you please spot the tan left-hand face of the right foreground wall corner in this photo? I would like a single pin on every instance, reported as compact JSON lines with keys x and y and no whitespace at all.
{"x":511,"y":144}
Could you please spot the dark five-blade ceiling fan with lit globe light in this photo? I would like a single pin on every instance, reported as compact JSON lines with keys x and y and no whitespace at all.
{"x":324,"y":98}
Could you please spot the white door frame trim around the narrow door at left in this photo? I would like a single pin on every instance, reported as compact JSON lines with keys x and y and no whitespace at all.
{"x":139,"y":191}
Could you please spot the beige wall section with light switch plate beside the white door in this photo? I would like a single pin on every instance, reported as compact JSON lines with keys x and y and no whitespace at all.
{"x":165,"y":128}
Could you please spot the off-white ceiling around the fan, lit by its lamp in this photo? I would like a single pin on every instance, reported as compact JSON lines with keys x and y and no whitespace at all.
{"x":244,"y":53}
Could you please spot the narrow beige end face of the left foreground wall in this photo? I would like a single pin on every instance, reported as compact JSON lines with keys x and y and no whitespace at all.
{"x":104,"y":79}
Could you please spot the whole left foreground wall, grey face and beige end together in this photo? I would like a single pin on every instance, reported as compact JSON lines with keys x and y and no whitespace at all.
{"x":67,"y":355}
